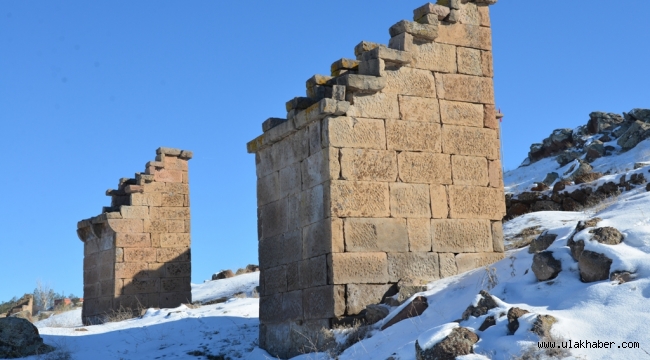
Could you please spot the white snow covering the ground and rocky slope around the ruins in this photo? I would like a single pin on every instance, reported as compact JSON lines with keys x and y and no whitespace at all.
{"x":600,"y":311}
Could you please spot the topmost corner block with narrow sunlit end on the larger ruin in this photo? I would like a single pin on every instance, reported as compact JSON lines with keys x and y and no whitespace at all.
{"x":320,"y":167}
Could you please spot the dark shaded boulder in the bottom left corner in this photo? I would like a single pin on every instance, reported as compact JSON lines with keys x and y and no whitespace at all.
{"x":20,"y":338}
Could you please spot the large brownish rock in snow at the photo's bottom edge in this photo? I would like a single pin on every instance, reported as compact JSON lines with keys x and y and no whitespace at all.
{"x":460,"y":342}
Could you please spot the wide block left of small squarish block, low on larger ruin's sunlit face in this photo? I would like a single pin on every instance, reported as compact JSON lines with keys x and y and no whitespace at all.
{"x":413,"y":265}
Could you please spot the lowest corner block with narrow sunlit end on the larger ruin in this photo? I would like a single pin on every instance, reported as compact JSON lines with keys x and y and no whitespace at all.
{"x":323,"y":302}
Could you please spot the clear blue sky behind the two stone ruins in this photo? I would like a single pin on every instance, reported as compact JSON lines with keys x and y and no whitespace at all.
{"x":89,"y":89}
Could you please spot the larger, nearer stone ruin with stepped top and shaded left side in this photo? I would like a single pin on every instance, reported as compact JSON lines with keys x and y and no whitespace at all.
{"x":387,"y":170}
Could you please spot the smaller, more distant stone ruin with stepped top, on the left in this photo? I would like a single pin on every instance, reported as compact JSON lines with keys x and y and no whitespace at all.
{"x":137,"y":252}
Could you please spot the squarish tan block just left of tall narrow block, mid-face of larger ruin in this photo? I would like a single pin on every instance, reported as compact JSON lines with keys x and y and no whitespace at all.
{"x":410,"y":200}
